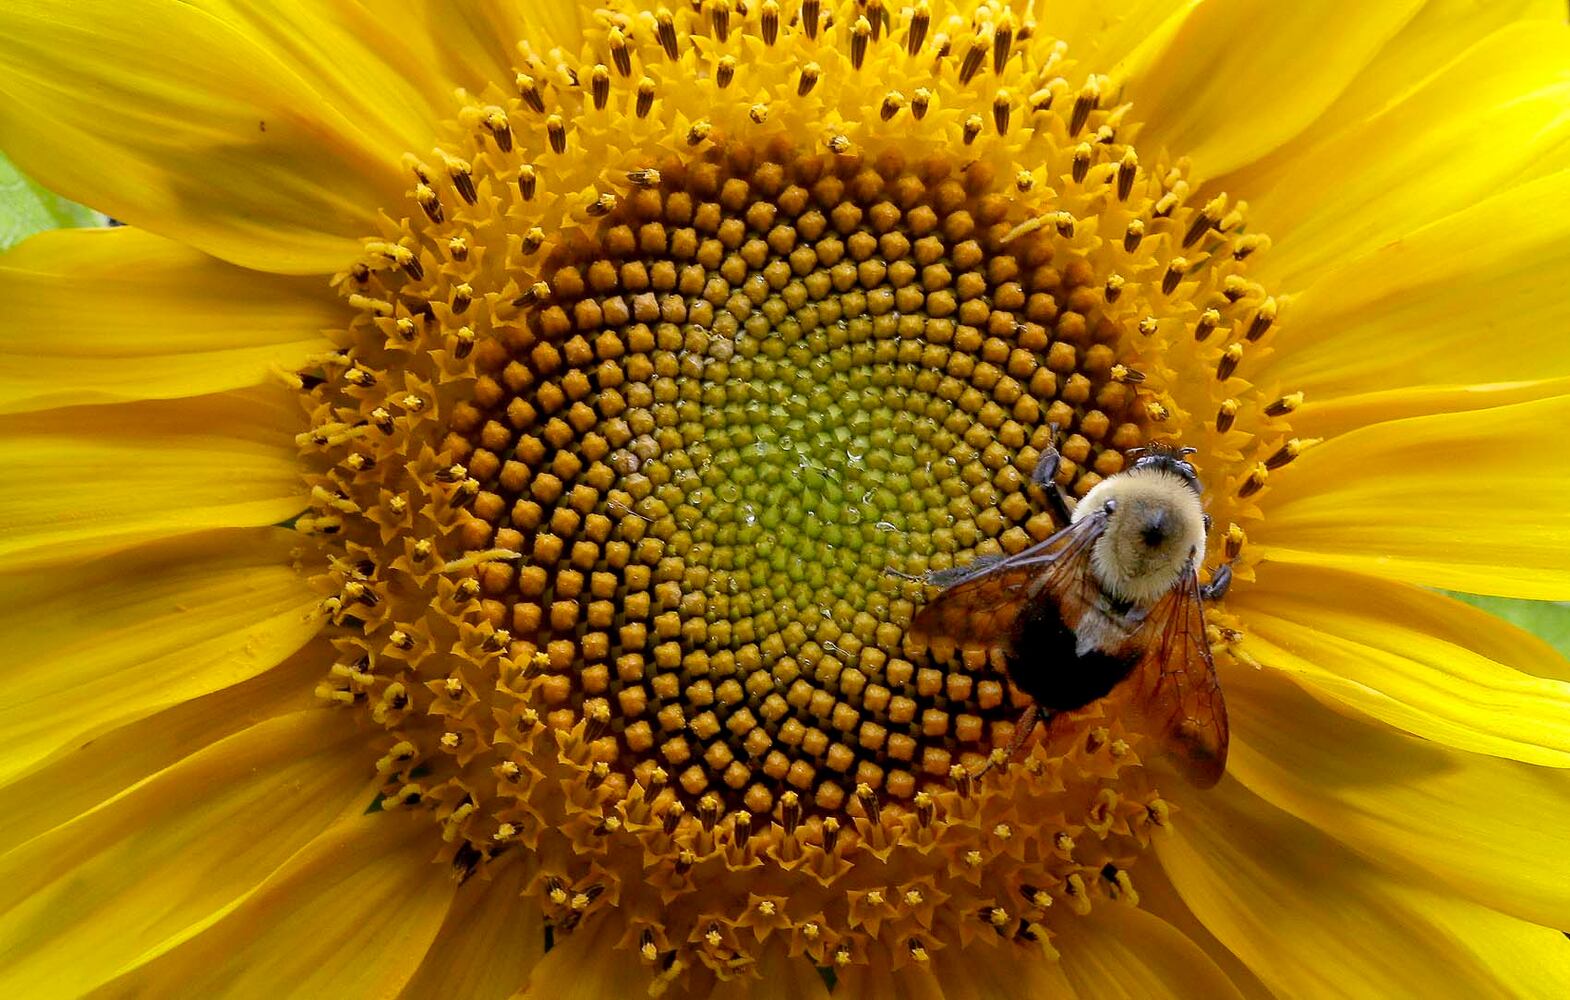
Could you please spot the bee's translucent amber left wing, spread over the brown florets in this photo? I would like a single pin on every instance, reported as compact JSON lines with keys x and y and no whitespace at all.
{"x":987,"y":605}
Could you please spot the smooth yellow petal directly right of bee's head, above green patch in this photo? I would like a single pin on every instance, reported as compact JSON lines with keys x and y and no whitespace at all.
{"x":1466,"y":502}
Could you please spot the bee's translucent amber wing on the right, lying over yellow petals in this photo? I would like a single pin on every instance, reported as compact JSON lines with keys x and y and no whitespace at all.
{"x":1177,"y":690}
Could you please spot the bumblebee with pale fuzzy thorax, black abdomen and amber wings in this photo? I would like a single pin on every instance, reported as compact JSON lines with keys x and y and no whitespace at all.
{"x":1109,"y":604}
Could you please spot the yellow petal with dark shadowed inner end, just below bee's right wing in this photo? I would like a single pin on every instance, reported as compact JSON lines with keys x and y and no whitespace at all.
{"x":1495,"y":830}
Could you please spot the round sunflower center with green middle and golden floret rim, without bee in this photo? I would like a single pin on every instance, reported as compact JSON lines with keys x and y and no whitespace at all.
{"x":655,"y":389}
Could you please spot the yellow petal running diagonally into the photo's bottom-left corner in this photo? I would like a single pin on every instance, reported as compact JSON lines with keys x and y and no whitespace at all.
{"x":173,"y":853}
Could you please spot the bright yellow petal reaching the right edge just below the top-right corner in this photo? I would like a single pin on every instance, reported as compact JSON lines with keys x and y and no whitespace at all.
{"x":1489,"y":122}
